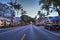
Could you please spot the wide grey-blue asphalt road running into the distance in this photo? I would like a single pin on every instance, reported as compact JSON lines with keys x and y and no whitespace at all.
{"x":28,"y":32}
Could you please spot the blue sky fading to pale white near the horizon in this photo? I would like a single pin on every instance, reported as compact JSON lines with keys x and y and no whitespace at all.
{"x":31,"y":6}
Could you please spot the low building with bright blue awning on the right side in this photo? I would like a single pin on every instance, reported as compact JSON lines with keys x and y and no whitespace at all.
{"x":54,"y":20}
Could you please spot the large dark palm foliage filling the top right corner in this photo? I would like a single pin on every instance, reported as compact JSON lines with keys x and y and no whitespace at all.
{"x":47,"y":3}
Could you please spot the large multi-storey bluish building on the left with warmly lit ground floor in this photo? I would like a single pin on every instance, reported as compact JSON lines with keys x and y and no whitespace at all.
{"x":6,"y":15}
